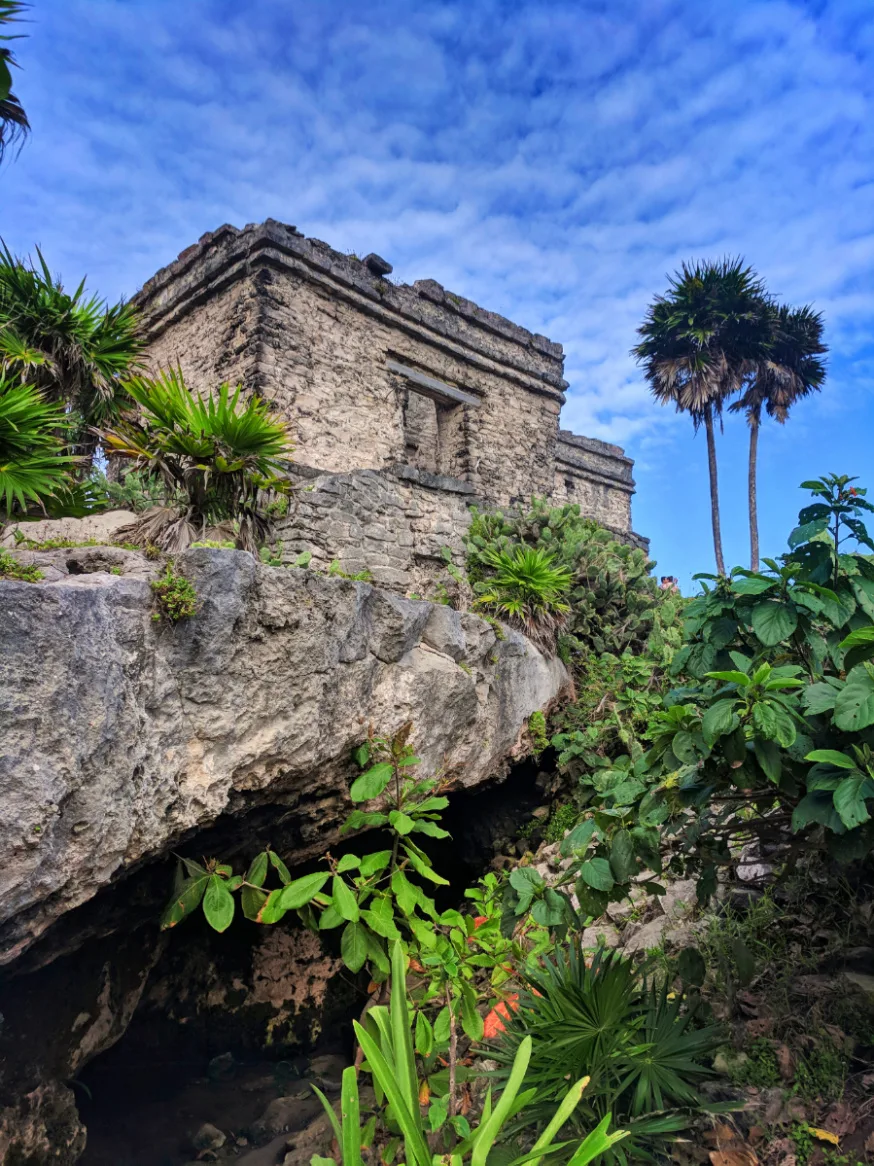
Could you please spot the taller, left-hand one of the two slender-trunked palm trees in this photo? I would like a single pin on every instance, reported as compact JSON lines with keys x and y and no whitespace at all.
{"x":699,"y":343}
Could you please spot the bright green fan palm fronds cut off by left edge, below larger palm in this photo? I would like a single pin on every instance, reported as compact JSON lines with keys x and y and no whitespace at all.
{"x":33,"y":463}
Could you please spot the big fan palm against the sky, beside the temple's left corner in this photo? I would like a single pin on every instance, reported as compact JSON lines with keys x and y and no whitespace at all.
{"x":76,"y":349}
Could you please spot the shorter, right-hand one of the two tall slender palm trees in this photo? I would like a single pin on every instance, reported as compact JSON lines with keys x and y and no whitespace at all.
{"x":793,"y":369}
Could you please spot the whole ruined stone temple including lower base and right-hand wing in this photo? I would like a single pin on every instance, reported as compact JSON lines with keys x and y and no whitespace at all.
{"x":407,"y":404}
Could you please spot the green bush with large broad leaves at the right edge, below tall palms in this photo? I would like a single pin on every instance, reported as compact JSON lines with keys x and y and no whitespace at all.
{"x":769,"y":734}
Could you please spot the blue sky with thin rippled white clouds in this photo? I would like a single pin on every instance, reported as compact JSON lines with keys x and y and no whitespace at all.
{"x":552,"y":161}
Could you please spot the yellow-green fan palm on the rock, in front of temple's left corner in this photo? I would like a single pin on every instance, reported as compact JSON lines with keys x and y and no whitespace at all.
{"x":217,"y":458}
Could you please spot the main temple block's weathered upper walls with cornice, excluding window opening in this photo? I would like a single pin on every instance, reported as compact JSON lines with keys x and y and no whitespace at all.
{"x":316,"y":332}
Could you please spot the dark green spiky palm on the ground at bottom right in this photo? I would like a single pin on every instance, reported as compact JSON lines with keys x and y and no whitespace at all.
{"x":600,"y":1017}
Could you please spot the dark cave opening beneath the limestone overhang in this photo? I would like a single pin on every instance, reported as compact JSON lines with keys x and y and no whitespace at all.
{"x":205,"y":1045}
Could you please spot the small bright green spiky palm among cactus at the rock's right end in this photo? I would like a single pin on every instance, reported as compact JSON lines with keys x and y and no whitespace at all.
{"x":528,"y":591}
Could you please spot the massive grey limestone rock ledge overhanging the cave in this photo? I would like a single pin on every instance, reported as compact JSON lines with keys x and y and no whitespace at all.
{"x":121,"y":734}
